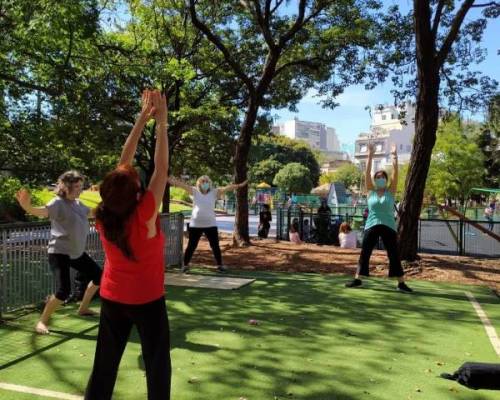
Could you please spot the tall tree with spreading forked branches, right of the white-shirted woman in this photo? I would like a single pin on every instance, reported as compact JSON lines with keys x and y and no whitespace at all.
{"x":277,"y":54}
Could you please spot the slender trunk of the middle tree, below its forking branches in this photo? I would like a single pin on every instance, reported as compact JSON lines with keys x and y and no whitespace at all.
{"x":240,"y":234}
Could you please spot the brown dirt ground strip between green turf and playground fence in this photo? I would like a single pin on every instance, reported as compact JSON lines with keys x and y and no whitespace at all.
{"x":284,"y":256}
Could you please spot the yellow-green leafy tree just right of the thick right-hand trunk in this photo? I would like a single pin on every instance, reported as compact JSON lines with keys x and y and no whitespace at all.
{"x":457,"y":161}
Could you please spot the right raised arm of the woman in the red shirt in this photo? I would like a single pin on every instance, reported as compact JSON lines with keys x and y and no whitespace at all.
{"x":159,"y":178}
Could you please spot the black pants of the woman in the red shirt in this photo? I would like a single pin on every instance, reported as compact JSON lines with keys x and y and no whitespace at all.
{"x":115,"y":325}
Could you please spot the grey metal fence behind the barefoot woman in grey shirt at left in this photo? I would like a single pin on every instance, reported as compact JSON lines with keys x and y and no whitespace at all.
{"x":25,"y":276}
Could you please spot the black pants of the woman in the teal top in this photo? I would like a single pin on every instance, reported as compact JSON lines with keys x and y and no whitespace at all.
{"x":370,"y":239}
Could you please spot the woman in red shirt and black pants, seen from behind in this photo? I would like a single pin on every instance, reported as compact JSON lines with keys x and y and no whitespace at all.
{"x":132,"y":286}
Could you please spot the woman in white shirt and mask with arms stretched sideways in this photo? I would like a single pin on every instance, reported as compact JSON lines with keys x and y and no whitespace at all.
{"x":203,"y":216}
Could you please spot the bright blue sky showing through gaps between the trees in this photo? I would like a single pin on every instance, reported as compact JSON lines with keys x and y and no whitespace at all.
{"x":350,"y":118}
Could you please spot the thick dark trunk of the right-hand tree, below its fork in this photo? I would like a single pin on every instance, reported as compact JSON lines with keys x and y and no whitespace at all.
{"x":426,"y":122}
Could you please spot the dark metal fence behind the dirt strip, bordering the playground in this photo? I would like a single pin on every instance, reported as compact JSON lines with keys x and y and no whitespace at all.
{"x":453,"y":237}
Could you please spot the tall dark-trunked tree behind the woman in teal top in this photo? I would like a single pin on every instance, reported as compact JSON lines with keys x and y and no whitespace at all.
{"x":443,"y":44}
